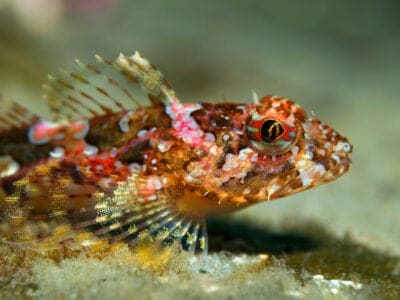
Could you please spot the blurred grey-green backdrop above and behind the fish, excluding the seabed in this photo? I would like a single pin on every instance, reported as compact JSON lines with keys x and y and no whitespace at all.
{"x":339,"y":59}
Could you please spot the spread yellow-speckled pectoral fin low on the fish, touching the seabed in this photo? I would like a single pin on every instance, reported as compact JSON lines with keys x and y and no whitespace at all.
{"x":58,"y":204}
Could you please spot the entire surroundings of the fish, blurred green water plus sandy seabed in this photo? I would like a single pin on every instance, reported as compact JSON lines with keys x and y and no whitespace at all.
{"x":338,"y":59}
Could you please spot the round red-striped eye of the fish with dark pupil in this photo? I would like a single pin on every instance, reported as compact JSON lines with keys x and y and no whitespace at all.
{"x":270,"y":135}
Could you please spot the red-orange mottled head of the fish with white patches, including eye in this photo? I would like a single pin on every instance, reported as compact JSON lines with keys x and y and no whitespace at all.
{"x":268,"y":150}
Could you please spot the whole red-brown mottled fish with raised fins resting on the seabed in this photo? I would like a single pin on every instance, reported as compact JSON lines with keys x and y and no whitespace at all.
{"x":123,"y":158}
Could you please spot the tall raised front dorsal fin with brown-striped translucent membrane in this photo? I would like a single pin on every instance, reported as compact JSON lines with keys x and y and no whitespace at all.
{"x":107,"y":86}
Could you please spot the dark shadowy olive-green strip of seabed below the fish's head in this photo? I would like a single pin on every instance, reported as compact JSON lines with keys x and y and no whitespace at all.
{"x":311,"y":249}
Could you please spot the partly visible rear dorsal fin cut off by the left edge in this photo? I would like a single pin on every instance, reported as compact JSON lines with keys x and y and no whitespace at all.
{"x":13,"y":115}
